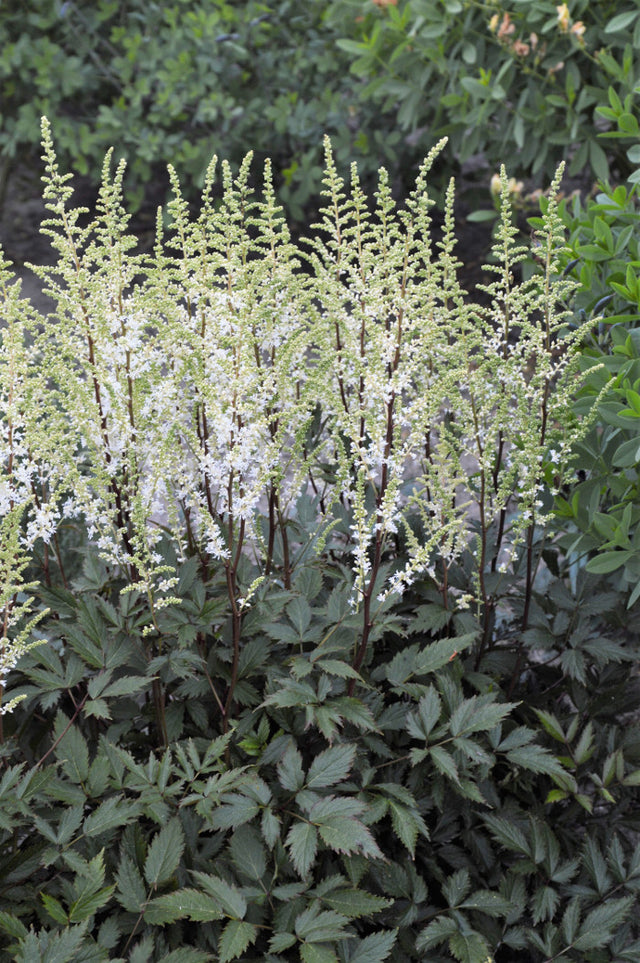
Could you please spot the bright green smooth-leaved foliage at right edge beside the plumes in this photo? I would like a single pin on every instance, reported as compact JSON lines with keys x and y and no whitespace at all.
{"x":602,"y":511}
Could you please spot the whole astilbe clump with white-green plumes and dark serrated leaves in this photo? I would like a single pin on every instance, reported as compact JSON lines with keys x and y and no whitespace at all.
{"x":316,"y":682}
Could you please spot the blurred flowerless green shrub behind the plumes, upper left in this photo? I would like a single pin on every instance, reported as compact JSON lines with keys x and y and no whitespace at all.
{"x":177,"y":82}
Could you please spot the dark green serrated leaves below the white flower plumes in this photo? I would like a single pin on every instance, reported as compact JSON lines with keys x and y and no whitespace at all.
{"x":442,"y":812}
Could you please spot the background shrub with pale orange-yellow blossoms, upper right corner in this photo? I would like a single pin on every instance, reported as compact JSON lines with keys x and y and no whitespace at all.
{"x":519,"y":80}
